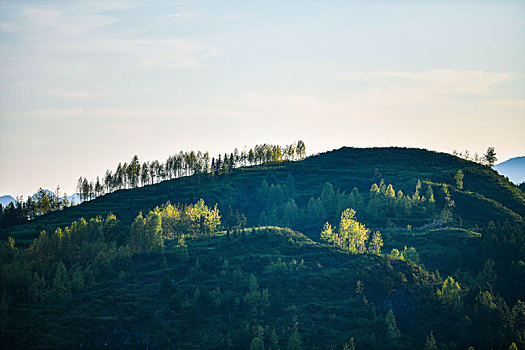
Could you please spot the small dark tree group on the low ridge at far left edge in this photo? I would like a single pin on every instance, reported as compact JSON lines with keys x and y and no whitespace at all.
{"x":39,"y":204}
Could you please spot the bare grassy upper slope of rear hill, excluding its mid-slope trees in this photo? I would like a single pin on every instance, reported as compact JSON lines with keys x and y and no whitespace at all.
{"x":486,"y":196}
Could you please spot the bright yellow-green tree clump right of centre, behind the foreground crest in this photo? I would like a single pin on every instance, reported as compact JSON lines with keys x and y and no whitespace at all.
{"x":352,"y":235}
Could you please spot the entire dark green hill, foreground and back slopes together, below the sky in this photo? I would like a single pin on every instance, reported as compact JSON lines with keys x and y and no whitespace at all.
{"x":414,"y":256}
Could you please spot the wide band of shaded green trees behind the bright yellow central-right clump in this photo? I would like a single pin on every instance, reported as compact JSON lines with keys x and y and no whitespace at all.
{"x":380,"y":207}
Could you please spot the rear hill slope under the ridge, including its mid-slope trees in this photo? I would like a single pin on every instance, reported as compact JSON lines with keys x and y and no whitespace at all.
{"x":287,"y":193}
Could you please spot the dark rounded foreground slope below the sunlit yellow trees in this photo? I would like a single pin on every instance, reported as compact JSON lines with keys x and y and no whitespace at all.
{"x":229,"y":291}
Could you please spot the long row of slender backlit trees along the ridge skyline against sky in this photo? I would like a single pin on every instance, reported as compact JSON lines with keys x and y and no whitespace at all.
{"x":134,"y":174}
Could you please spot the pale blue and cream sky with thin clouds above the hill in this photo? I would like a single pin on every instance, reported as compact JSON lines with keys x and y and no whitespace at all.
{"x":86,"y":85}
